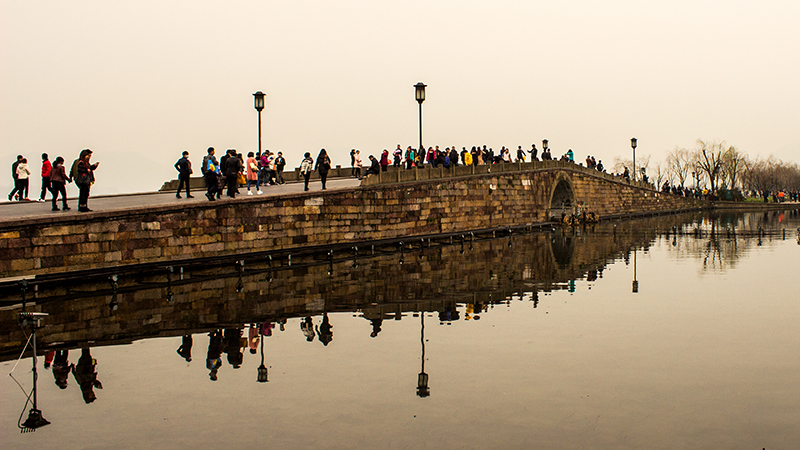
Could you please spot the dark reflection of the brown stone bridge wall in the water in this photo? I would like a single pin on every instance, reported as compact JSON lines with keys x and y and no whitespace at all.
{"x":432,"y":276}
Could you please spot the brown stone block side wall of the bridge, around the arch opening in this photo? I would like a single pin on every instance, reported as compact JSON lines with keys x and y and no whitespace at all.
{"x":229,"y":227}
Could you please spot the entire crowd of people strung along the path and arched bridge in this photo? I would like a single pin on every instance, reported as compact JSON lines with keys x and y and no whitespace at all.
{"x":259,"y":170}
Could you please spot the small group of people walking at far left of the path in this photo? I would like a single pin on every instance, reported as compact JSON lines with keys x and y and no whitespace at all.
{"x":55,"y":179}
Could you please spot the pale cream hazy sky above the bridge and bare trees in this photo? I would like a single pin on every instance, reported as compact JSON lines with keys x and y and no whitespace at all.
{"x":139,"y":82}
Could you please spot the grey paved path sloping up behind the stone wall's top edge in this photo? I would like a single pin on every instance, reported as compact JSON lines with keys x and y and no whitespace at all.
{"x":10,"y":211}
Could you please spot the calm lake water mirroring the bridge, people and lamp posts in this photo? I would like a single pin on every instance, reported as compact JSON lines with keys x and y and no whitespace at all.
{"x":527,"y":341}
